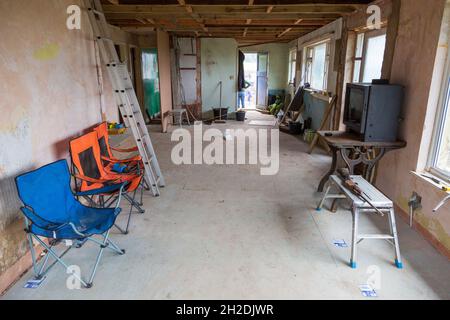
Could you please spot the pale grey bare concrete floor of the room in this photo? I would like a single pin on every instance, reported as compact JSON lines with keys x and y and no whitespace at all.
{"x":226,"y":232}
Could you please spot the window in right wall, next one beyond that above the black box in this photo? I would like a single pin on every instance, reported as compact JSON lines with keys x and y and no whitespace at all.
{"x":317,"y":60}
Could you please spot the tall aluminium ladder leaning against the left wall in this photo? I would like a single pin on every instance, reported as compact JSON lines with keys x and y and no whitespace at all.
{"x":125,"y":96}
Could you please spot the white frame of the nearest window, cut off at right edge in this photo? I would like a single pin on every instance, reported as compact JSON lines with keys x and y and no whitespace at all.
{"x":439,"y":124}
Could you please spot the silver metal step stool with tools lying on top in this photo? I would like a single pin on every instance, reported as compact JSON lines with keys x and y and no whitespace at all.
{"x":379,"y":200}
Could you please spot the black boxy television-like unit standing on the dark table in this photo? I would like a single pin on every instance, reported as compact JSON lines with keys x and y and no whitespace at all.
{"x":372,"y":111}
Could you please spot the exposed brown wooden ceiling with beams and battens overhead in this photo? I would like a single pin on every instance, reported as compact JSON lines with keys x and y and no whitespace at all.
{"x":247,"y":21}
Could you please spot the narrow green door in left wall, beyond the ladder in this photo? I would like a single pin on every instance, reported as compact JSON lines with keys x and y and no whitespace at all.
{"x":150,"y":74}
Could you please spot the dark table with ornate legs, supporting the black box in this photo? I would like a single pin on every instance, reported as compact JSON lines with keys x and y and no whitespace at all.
{"x":354,"y":152}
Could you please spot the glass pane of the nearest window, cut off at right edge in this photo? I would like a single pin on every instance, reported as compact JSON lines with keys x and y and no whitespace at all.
{"x":440,"y":156}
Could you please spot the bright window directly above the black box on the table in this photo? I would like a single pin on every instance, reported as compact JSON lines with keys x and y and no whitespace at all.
{"x":369,"y":55}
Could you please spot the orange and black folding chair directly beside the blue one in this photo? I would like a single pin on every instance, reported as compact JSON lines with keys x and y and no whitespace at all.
{"x":90,"y":175}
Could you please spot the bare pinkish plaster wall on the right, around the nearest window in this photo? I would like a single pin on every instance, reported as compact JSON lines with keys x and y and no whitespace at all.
{"x":415,"y":52}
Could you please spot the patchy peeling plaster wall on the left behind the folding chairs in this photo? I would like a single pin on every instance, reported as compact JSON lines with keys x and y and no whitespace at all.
{"x":49,"y":93}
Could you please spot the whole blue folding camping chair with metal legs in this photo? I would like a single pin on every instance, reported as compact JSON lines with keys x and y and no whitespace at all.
{"x":52,"y":211}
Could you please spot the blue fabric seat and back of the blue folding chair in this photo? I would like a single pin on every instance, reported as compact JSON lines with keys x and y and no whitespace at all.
{"x":53,"y":209}
